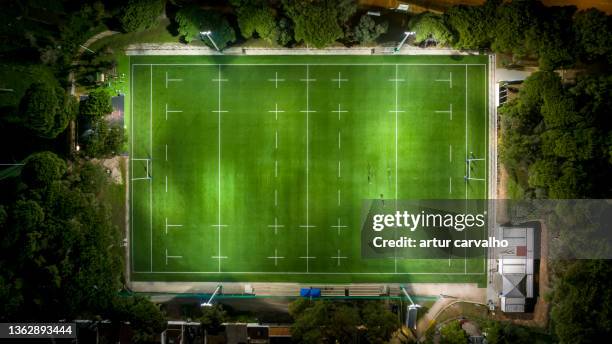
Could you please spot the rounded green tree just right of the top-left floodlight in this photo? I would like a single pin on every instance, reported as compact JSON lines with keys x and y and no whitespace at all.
{"x":259,"y":20}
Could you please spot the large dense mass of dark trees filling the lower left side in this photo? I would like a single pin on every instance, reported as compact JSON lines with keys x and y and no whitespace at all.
{"x":61,"y":254}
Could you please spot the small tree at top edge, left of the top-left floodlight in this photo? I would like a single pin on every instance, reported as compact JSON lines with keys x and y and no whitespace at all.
{"x":139,"y":15}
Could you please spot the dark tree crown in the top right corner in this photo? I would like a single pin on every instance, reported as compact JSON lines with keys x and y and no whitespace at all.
{"x":592,"y":31}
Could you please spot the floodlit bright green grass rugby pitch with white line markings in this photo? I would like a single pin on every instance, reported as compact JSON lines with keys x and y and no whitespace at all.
{"x":255,"y":168}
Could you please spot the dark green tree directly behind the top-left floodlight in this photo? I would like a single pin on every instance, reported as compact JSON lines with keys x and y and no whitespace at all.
{"x":193,"y":20}
